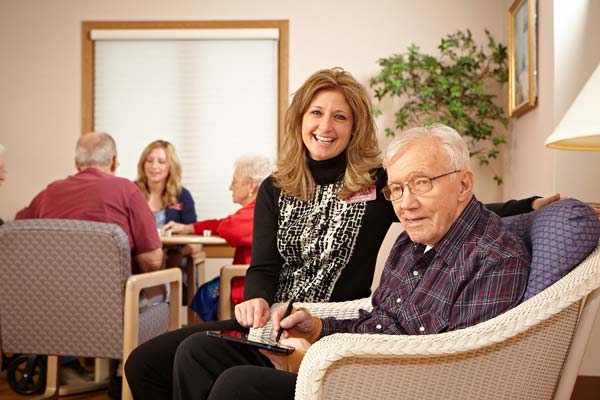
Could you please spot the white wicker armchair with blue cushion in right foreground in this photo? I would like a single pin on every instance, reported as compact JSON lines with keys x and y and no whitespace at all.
{"x":532,"y":351}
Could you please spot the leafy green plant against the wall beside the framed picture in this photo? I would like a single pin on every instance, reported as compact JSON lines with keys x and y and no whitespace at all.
{"x":455,"y":88}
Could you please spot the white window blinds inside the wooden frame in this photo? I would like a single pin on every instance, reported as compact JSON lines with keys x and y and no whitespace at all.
{"x":214,"y":97}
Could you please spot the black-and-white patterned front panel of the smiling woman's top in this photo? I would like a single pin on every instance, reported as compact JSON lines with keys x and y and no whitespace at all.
{"x":316,"y":239}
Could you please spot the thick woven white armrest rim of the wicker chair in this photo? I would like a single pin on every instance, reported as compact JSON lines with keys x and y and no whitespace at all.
{"x":330,"y":350}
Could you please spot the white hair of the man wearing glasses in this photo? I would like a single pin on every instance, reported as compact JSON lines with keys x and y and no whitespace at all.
{"x":452,"y":143}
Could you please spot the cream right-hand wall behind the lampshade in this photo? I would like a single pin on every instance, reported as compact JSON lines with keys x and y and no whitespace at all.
{"x":569,"y":51}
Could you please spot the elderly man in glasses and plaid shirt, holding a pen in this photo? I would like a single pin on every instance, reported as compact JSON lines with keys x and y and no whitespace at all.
{"x":455,"y":265}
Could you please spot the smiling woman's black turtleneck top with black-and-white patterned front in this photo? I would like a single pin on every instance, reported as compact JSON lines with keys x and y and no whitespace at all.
{"x":323,"y":249}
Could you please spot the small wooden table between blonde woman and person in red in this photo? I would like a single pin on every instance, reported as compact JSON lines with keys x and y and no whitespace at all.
{"x":212,"y":247}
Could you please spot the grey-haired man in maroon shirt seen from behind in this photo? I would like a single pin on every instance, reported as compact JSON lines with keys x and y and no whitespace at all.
{"x":96,"y":194}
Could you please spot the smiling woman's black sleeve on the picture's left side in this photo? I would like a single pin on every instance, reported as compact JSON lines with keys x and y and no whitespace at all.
{"x":262,"y":277}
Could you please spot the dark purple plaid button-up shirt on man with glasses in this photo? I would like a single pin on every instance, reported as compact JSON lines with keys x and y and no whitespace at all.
{"x":478,"y":270}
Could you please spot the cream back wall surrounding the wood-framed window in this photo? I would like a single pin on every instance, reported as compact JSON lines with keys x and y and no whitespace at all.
{"x":40,"y":68}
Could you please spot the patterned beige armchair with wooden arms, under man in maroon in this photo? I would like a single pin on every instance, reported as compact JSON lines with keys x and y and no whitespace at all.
{"x":67,"y":289}
